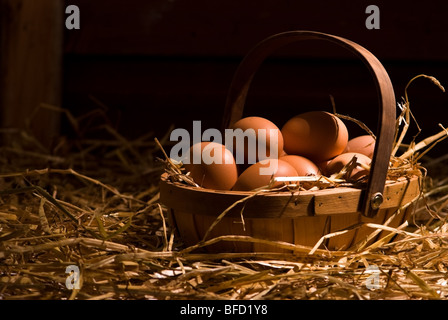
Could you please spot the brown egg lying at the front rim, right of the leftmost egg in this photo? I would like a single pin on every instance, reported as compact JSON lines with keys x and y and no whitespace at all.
{"x":253,"y":177}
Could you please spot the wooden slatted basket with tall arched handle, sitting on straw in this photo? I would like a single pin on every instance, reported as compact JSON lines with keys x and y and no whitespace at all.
{"x":300,"y":218}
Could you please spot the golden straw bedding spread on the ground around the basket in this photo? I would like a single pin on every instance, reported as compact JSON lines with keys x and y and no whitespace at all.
{"x":93,"y":203}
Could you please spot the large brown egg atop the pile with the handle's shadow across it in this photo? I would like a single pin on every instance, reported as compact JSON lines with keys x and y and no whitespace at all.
{"x":316,"y":135}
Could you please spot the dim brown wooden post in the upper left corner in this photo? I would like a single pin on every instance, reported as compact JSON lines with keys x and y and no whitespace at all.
{"x":31,"y":65}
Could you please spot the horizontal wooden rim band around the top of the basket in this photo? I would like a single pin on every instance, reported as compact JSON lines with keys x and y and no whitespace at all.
{"x":283,"y":204}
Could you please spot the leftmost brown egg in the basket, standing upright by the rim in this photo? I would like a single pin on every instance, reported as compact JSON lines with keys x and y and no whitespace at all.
{"x":216,"y":168}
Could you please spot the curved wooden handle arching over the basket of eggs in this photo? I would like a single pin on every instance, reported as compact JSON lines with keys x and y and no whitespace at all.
{"x":386,"y":120}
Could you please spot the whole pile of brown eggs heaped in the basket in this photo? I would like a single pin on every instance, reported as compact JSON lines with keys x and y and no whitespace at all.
{"x":309,"y":144}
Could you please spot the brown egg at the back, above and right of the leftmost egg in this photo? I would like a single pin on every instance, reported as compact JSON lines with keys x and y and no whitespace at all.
{"x":261,"y":140}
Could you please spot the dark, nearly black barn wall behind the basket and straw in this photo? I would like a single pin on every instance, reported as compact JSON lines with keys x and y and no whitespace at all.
{"x":152,"y":64}
